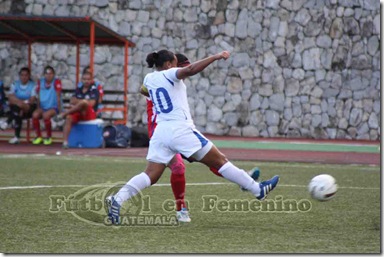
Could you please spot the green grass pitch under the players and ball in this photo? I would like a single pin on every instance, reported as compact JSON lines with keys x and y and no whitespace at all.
{"x":349,"y":223}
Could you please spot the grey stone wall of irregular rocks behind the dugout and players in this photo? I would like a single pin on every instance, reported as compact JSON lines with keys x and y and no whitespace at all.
{"x":299,"y":68}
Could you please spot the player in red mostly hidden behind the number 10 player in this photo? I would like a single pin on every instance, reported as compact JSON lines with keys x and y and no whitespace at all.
{"x":176,"y":165}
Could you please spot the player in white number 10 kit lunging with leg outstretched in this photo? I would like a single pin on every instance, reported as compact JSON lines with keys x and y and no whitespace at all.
{"x":176,"y":133}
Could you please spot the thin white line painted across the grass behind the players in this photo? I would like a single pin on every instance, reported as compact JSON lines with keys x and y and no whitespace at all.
{"x":162,"y":185}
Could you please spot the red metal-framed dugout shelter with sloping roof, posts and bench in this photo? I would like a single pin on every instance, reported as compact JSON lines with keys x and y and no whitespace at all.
{"x":74,"y":31}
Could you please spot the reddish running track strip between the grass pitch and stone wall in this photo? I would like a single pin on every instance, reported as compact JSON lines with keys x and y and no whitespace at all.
{"x":231,"y":153}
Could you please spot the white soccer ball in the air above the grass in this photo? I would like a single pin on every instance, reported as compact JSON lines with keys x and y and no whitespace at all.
{"x":322,"y":187}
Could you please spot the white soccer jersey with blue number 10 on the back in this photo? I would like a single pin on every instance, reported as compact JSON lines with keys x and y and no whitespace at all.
{"x":169,"y":96}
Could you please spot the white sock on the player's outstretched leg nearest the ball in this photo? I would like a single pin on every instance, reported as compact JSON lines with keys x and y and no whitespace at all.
{"x":240,"y":177}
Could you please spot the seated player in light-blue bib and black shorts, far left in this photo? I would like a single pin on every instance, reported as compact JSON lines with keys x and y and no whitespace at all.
{"x":22,"y":102}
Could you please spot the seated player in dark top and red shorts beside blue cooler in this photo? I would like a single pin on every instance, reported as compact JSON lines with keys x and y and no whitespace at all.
{"x":83,"y":106}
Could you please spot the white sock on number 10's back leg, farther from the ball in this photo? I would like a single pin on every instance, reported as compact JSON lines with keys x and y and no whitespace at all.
{"x":133,"y":187}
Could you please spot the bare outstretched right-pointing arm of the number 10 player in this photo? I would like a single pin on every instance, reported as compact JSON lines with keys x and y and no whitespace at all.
{"x":200,"y":65}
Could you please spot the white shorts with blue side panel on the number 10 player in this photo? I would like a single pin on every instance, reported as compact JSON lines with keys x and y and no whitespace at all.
{"x":172,"y":137}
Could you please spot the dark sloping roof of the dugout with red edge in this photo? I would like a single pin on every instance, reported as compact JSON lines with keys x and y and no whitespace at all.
{"x":50,"y":29}
